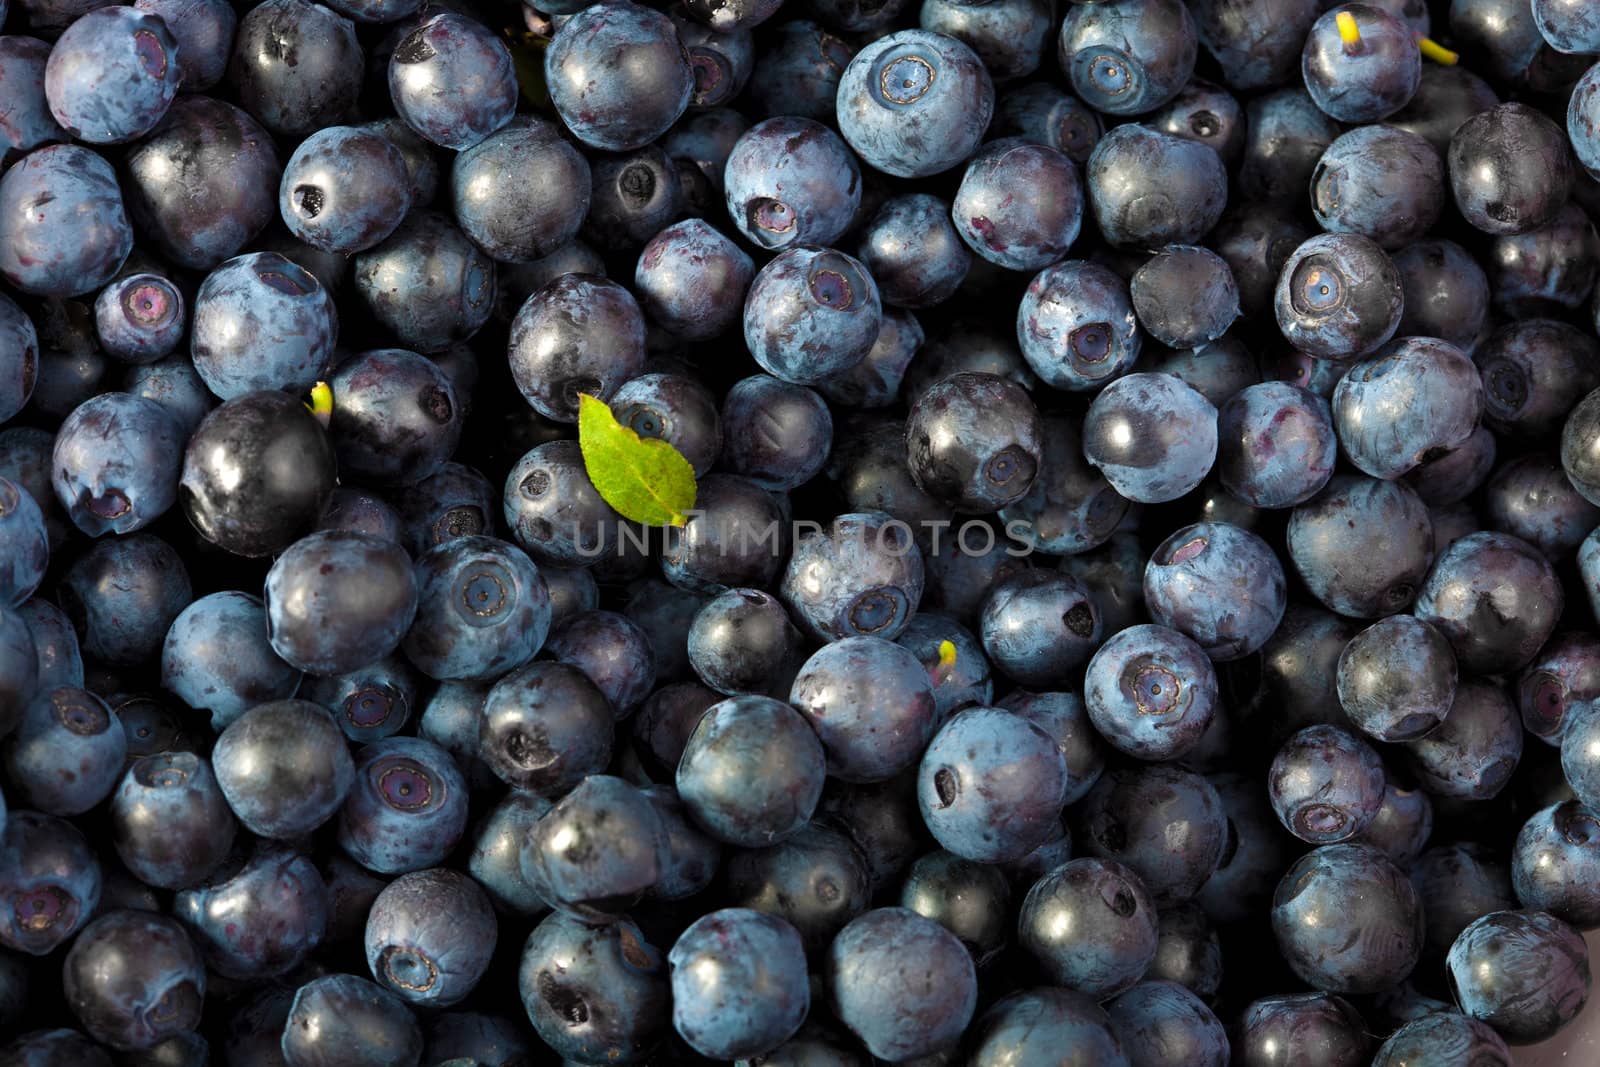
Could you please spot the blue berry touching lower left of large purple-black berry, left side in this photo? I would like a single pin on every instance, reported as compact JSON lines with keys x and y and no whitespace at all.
{"x":218,"y":658}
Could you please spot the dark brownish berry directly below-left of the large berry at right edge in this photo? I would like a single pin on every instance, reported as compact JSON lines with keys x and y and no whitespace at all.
{"x":1398,"y":679}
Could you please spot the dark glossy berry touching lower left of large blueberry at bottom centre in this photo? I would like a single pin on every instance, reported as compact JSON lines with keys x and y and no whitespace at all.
{"x":599,"y":850}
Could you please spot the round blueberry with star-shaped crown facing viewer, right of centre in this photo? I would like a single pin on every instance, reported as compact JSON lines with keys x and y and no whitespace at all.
{"x":1151,"y":693}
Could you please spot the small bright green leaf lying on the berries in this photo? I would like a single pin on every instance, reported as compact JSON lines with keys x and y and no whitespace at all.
{"x":647,"y":481}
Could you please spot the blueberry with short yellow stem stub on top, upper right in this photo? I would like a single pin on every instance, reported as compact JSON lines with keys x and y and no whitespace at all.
{"x":1370,"y":82}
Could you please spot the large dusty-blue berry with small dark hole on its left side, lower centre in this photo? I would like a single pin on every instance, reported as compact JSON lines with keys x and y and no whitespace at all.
{"x":972,"y":809}
